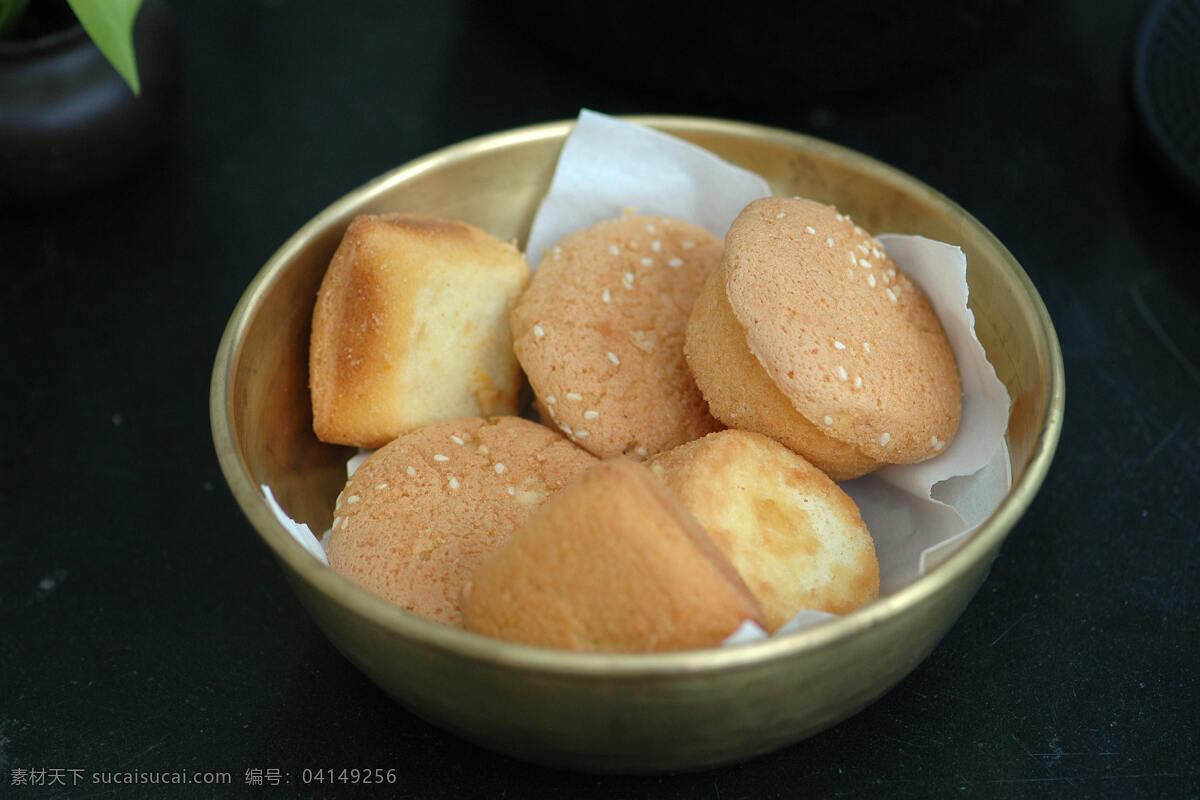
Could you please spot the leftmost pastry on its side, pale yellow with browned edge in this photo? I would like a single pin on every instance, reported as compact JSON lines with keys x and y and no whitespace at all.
{"x":412,"y":327}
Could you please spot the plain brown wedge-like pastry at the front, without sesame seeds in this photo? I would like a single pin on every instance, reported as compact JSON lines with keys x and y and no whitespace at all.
{"x":614,"y":563}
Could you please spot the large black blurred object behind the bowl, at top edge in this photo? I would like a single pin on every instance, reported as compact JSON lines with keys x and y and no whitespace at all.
{"x":765,"y":52}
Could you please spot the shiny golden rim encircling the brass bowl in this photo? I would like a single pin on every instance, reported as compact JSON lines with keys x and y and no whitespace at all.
{"x":981,"y":545}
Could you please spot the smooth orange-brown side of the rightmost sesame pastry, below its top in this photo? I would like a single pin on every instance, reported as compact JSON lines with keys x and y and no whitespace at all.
{"x":743,"y":396}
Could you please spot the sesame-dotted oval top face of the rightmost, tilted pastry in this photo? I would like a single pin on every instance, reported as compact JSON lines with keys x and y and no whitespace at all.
{"x":845,"y":335}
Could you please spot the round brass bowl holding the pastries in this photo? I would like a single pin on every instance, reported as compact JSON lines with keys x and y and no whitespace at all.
{"x":616,"y":713}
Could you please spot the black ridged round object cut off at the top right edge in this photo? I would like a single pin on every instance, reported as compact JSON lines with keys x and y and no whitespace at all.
{"x":1167,"y":87}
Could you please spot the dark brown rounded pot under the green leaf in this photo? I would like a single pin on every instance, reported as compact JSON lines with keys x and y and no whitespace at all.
{"x":69,"y":124}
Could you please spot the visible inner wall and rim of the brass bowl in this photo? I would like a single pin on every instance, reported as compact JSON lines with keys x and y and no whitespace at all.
{"x":260,"y":399}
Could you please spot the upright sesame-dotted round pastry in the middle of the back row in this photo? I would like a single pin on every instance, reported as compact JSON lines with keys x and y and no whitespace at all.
{"x":601,"y":332}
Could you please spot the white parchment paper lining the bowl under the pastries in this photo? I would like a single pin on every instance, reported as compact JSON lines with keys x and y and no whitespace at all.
{"x":917,"y":515}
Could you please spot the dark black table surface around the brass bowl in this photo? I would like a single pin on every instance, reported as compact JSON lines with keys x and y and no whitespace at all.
{"x":147,"y":628}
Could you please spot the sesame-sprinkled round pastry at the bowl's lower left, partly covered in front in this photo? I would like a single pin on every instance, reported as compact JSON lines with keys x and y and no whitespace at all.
{"x":421,"y":514}
